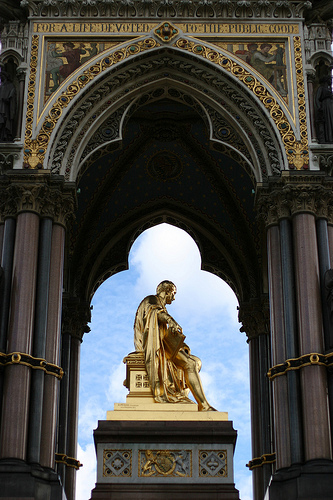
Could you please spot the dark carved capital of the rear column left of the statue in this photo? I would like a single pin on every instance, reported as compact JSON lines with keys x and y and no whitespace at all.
{"x":76,"y":314}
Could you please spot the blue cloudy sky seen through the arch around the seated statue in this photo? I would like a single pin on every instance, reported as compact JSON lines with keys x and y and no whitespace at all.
{"x":205,"y":307}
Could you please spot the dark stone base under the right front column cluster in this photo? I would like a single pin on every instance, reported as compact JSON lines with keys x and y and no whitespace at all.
{"x":312,"y":480}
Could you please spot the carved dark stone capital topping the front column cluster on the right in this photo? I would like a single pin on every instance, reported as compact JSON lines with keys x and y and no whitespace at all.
{"x":294,"y":194}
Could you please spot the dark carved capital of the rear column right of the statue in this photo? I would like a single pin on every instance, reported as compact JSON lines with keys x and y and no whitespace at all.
{"x":254,"y":316}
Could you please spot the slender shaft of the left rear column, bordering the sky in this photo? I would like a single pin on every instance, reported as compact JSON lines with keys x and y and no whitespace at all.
{"x":72,"y":432}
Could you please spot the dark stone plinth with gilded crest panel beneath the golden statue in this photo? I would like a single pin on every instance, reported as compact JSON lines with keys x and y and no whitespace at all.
{"x":178,"y":460}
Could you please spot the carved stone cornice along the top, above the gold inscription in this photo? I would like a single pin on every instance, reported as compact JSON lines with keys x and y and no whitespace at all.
{"x":195,"y":9}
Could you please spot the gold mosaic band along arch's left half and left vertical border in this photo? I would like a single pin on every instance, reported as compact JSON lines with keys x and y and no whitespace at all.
{"x":34,"y":151}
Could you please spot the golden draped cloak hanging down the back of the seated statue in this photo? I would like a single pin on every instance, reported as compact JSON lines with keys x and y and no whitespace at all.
{"x":166,"y":379}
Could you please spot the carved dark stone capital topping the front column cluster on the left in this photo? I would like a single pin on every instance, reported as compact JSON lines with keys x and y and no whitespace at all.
{"x":44,"y":194}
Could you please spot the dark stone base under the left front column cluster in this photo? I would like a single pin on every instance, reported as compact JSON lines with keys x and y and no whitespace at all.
{"x":28,"y":482}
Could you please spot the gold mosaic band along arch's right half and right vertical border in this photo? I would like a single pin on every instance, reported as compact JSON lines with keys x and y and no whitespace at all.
{"x":297,"y":153}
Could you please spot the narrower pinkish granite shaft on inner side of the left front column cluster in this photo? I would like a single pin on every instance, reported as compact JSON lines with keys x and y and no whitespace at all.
{"x":52,"y":350}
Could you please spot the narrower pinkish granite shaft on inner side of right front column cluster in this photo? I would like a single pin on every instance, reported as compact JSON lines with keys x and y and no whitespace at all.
{"x":279,"y":384}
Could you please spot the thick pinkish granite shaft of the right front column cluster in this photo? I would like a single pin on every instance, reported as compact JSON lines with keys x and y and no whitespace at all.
{"x":313,"y":378}
